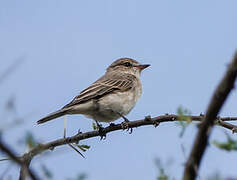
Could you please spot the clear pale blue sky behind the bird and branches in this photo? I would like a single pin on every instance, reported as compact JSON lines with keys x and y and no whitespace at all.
{"x":67,"y":45}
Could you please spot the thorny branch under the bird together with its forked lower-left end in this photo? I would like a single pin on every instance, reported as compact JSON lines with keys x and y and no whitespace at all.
{"x":27,"y":157}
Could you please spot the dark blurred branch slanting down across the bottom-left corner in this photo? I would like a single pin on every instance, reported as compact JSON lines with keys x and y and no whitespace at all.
{"x":19,"y":161}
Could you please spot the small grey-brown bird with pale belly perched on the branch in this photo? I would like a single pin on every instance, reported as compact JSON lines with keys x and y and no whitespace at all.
{"x":110,"y":97}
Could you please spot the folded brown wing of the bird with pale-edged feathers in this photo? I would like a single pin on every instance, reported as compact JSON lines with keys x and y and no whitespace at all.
{"x":103,"y":86}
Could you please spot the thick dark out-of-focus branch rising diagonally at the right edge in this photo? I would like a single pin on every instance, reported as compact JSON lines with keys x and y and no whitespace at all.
{"x":217,"y":100}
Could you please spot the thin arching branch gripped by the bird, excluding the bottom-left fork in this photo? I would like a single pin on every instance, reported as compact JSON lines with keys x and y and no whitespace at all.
{"x":115,"y":127}
